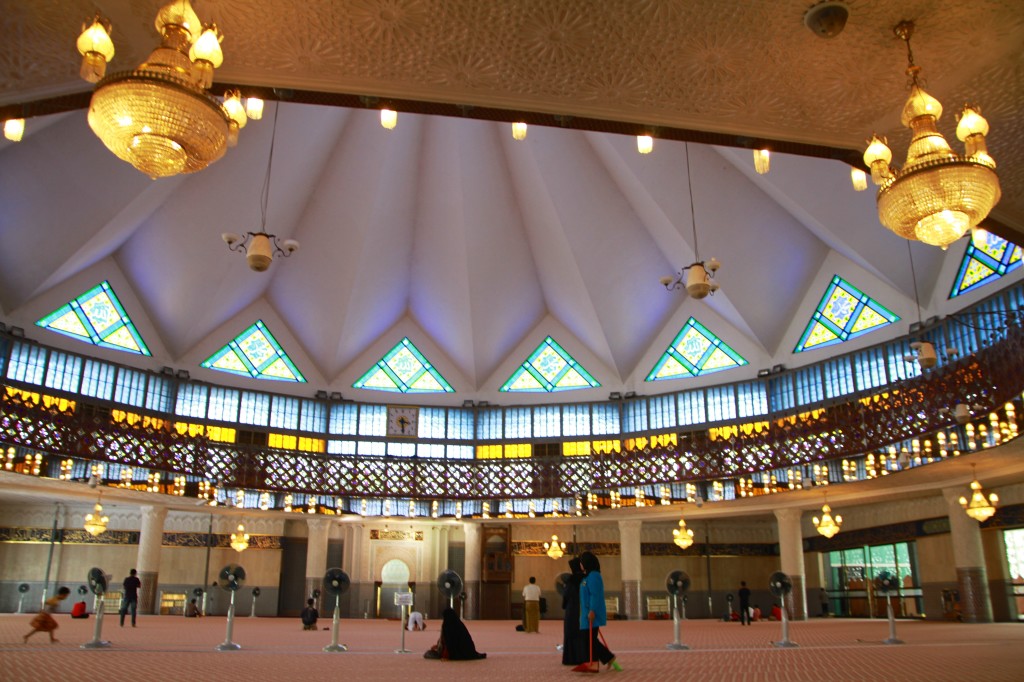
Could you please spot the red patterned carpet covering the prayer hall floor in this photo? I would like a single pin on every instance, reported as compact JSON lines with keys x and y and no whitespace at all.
{"x":176,"y":649}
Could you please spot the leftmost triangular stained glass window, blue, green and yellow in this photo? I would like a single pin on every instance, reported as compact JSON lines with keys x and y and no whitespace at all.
{"x":98,"y":318}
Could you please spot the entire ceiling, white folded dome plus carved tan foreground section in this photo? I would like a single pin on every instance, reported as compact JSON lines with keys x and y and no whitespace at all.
{"x":478,"y":247}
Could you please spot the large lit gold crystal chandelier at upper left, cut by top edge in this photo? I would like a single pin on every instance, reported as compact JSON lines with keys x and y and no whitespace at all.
{"x":160,"y":117}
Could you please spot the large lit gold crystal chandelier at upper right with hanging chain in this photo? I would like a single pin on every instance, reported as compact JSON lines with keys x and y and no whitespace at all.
{"x":938,"y":195}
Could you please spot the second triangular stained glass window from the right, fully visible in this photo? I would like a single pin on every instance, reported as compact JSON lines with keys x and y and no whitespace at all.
{"x":845,"y":313}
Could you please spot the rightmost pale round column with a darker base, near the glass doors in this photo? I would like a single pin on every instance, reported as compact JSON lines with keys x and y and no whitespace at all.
{"x":972,"y":578}
